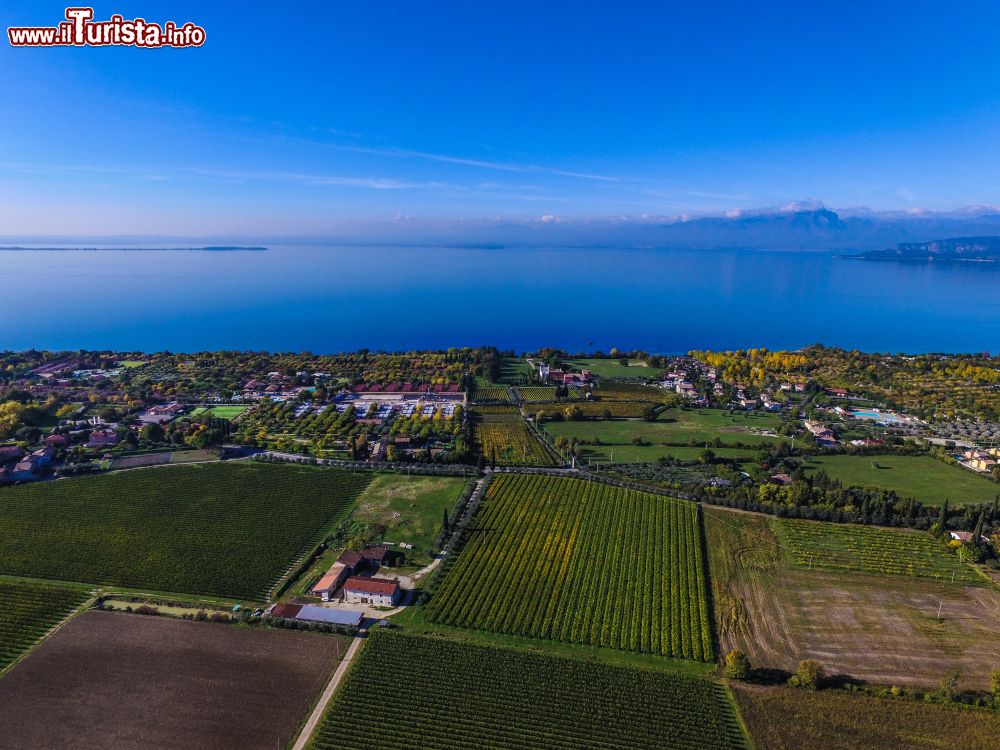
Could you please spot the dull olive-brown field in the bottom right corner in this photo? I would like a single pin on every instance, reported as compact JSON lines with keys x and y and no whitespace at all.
{"x":781,"y":718}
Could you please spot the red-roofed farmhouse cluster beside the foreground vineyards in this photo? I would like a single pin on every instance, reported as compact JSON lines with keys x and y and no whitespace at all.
{"x":344,"y":576}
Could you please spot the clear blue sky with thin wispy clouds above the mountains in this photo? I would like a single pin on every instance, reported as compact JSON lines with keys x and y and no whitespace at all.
{"x":296,"y":121}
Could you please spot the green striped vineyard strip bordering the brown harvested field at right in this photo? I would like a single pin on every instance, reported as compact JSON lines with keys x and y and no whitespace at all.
{"x":870,"y":549}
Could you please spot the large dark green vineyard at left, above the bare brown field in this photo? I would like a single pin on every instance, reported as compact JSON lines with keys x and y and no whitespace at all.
{"x":217,"y":529}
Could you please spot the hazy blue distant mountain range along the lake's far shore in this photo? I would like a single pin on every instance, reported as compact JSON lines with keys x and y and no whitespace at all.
{"x":797,"y":227}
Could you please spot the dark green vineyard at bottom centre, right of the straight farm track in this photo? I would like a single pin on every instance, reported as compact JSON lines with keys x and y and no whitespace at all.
{"x":444,"y":695}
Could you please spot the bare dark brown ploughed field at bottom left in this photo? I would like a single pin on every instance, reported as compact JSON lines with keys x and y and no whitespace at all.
{"x":130,"y":681}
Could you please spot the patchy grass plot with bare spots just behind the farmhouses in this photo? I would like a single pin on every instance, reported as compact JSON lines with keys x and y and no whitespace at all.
{"x":400,"y":508}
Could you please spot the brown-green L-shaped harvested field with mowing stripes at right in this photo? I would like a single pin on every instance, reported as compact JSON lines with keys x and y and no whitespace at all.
{"x":881,"y":629}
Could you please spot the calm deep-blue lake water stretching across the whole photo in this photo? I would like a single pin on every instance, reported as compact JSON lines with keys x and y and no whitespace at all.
{"x":329,"y":299}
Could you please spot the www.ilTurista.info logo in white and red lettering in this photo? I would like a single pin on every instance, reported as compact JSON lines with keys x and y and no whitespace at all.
{"x":81,"y":30}
